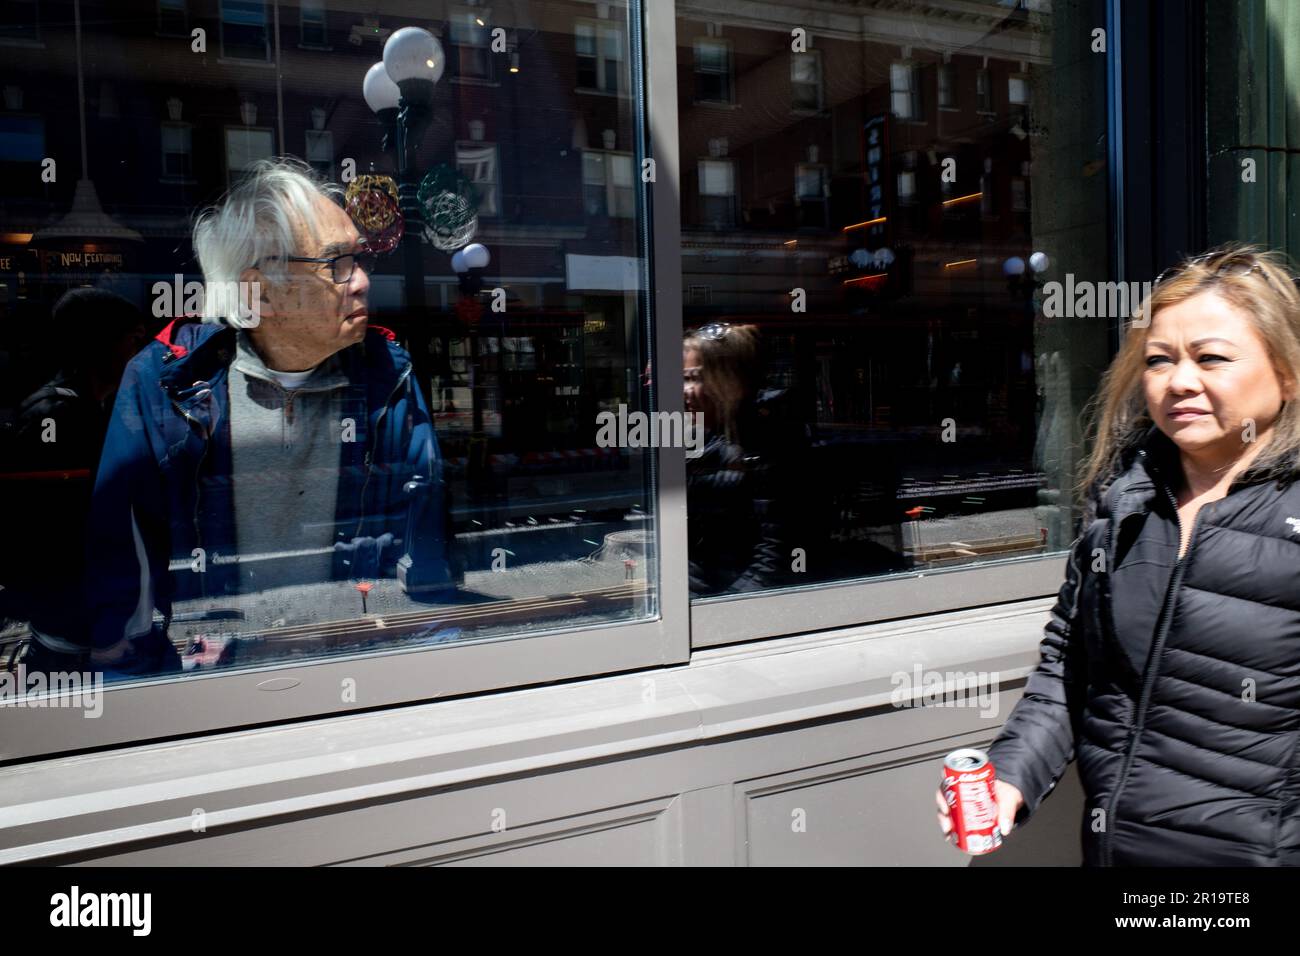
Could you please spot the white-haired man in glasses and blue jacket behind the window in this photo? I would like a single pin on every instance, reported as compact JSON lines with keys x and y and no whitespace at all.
{"x":281,"y":442}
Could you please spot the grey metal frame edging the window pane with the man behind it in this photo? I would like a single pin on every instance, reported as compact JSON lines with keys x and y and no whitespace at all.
{"x":140,"y":712}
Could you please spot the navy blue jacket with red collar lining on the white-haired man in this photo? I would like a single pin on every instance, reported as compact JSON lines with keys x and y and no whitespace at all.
{"x":164,"y":490}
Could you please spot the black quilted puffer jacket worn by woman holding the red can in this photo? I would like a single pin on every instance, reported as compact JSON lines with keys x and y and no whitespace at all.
{"x":1176,"y":684}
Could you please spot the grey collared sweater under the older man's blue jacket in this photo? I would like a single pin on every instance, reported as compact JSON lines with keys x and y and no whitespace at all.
{"x":285,"y":458}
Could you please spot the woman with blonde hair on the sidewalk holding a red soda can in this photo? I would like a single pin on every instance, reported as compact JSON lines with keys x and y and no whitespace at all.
{"x":1171,"y":667}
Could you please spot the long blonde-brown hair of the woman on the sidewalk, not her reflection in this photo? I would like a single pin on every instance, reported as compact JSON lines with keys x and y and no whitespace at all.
{"x":1260,"y":285}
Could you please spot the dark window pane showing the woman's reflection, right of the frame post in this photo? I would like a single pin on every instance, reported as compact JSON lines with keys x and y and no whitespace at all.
{"x":879,"y":344}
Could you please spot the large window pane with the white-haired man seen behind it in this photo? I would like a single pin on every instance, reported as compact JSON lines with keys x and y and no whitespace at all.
{"x":223,"y":452}
